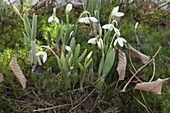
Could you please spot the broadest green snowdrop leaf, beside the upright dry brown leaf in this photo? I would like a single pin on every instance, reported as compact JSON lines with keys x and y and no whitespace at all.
{"x":108,"y":62}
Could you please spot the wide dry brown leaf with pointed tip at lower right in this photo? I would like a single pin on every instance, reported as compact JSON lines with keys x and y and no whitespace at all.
{"x":154,"y":87}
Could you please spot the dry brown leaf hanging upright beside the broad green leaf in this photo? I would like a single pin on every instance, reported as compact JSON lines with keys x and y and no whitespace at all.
{"x":121,"y":68}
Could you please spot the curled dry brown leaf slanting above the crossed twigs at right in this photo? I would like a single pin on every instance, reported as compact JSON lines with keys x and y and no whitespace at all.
{"x":141,"y":56}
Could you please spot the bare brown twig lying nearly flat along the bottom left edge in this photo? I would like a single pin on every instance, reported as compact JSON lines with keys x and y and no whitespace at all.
{"x":49,"y":108}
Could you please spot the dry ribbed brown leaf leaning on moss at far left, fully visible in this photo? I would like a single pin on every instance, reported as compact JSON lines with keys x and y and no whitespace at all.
{"x":18,"y":72}
